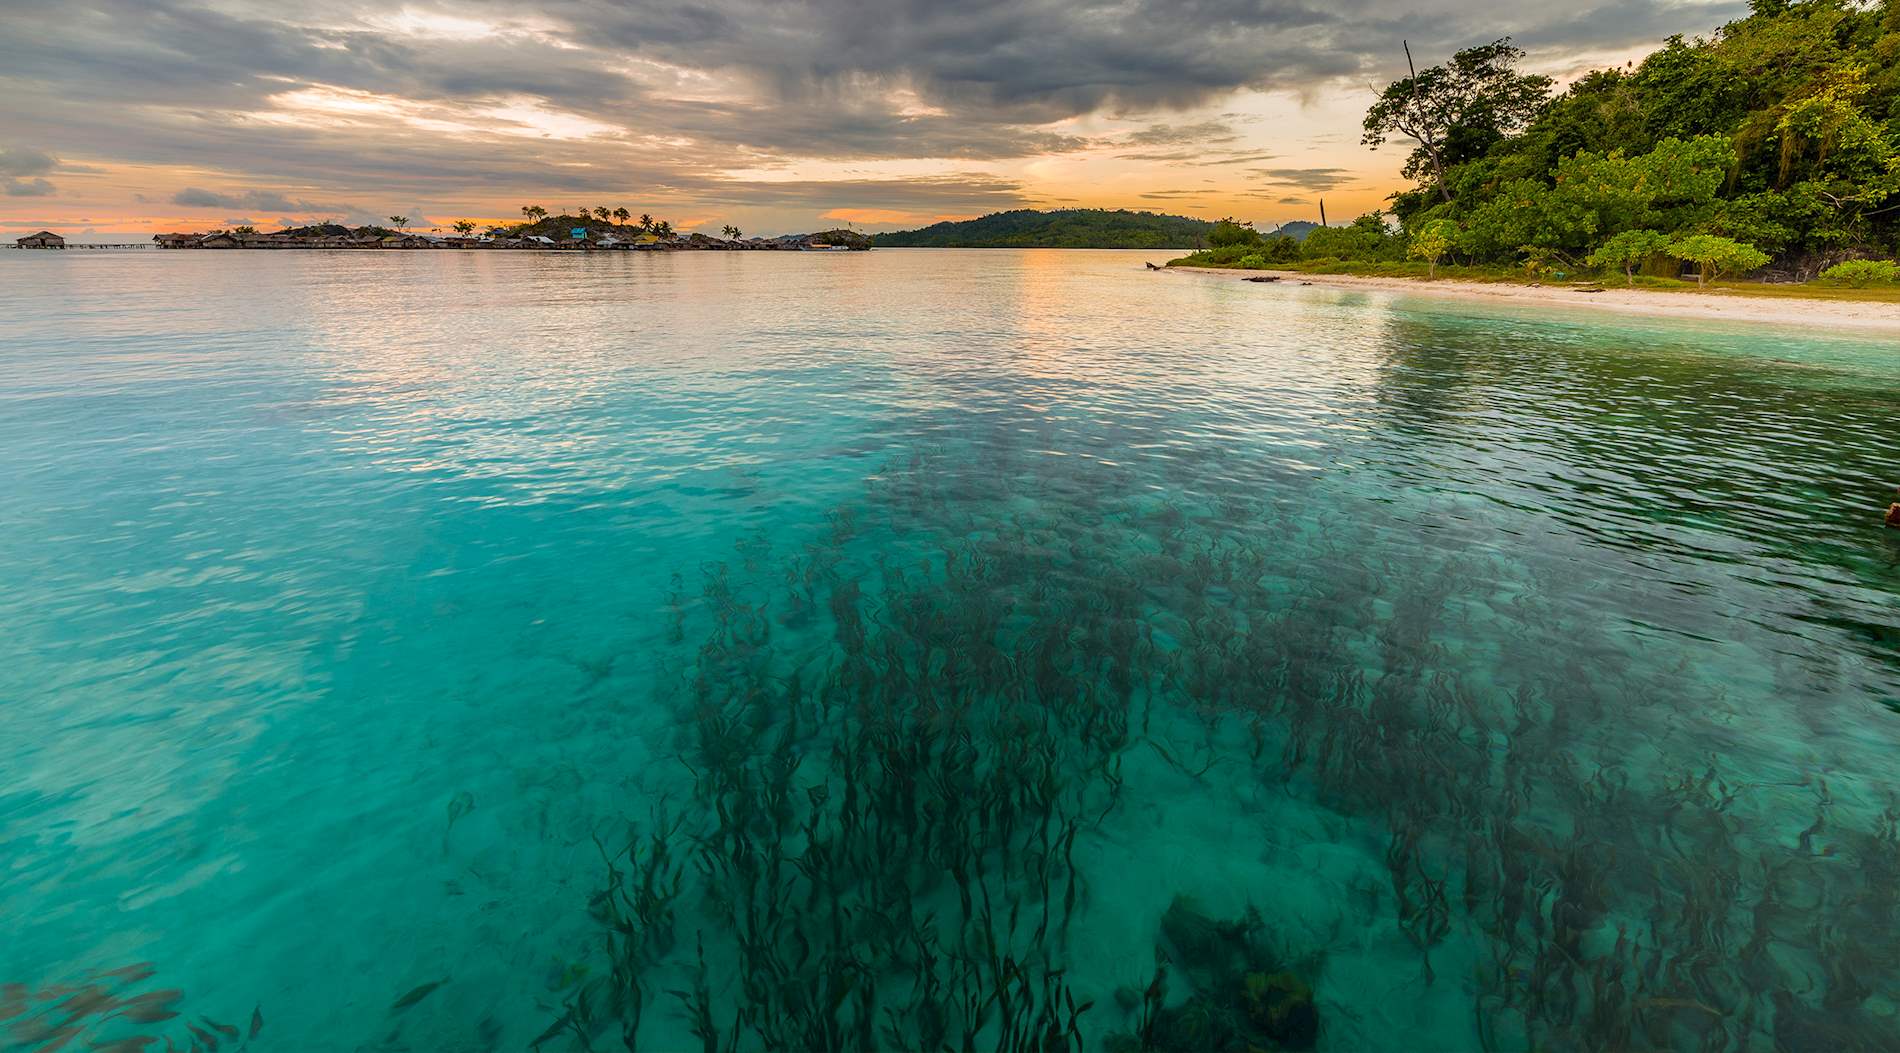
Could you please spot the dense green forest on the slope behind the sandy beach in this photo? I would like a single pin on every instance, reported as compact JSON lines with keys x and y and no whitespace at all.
{"x":1770,"y":147}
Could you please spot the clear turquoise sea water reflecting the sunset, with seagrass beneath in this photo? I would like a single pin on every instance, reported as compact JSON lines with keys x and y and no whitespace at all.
{"x":926,"y":649}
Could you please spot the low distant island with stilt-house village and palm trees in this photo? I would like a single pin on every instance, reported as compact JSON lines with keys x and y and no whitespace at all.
{"x":590,"y":231}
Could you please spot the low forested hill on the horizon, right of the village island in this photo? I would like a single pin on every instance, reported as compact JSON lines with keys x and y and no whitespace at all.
{"x":1065,"y":229}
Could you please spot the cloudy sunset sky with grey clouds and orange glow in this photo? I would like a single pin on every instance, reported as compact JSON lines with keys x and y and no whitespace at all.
{"x":769,"y":115}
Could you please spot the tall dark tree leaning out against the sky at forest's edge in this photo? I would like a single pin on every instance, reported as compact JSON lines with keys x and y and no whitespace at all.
{"x":1458,"y":111}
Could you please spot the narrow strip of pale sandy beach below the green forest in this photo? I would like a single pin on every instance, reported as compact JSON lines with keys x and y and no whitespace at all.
{"x":1720,"y":307}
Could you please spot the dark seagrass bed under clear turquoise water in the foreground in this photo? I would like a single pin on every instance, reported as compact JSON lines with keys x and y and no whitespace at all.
{"x":900,"y":738}
